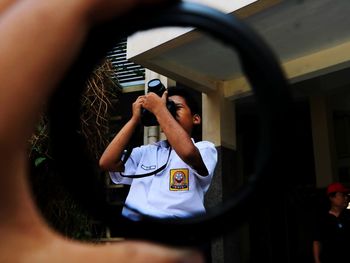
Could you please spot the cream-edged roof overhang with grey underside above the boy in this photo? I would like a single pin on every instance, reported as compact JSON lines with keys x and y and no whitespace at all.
{"x":311,"y":38}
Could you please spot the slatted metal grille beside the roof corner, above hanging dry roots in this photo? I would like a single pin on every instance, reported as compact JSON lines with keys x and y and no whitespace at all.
{"x":128,"y":73}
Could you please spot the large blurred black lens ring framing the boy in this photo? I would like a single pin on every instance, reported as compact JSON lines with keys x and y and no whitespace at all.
{"x":260,"y":67}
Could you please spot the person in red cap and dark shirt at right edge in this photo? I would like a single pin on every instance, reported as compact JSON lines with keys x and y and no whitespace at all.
{"x":331,"y":239}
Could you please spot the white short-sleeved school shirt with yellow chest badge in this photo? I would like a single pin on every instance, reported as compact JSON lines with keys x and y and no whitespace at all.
{"x":176,"y":191}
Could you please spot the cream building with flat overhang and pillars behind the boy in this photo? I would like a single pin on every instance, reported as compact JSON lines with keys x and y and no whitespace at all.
{"x":311,"y":40}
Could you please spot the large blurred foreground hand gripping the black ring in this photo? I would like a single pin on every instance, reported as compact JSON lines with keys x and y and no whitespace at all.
{"x":53,"y":33}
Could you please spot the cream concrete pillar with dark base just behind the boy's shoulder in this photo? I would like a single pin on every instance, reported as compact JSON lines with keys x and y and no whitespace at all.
{"x":218,"y":115}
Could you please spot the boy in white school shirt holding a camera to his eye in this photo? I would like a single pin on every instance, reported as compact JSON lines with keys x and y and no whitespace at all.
{"x":178,"y":189}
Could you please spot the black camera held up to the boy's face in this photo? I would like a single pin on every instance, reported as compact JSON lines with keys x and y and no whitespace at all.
{"x":147,"y":118}
